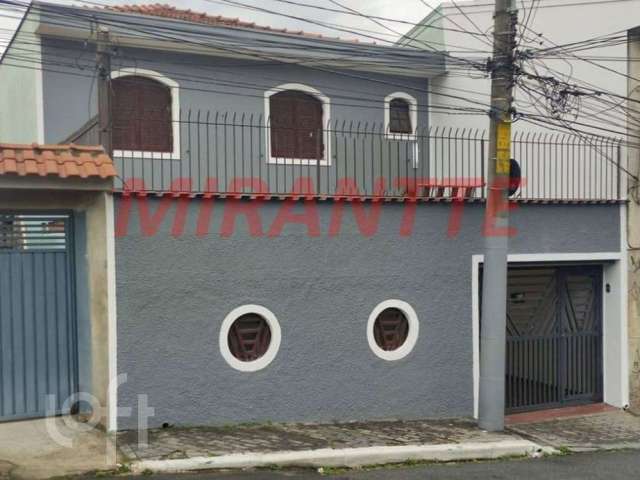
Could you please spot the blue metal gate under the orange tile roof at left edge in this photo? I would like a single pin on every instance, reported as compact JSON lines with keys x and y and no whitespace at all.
{"x":38,"y":354}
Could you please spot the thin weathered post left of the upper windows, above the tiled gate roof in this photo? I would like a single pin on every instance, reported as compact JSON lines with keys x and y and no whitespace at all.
{"x":103,"y":65}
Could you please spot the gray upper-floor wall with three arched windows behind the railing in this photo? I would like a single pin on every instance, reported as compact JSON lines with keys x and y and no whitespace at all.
{"x":185,"y":116}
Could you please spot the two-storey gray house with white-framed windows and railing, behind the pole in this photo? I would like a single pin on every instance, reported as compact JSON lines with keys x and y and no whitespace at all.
{"x":297,"y":239}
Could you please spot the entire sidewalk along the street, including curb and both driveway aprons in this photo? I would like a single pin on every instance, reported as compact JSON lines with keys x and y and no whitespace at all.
{"x":36,"y":449}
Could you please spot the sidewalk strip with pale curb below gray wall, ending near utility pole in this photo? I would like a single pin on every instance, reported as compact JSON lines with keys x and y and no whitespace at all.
{"x":318,"y":445}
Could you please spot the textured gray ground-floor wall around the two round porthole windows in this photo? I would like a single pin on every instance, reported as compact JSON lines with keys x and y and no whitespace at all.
{"x":174,"y":292}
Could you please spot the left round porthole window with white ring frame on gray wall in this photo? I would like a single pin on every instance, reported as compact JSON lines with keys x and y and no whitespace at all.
{"x":250,"y":338}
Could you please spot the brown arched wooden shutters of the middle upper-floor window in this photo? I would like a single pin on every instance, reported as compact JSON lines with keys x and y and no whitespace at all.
{"x":296,"y":126}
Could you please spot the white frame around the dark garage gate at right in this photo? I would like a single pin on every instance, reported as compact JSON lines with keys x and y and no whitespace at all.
{"x":614,"y":316}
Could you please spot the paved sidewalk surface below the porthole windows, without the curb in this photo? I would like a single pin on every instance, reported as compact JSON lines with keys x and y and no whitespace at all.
{"x":173,"y":443}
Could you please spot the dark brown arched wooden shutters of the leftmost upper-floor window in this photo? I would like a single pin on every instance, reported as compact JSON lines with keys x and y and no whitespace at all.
{"x":141,"y":115}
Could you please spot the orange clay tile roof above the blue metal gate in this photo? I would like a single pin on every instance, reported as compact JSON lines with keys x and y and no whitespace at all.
{"x":60,"y":160}
